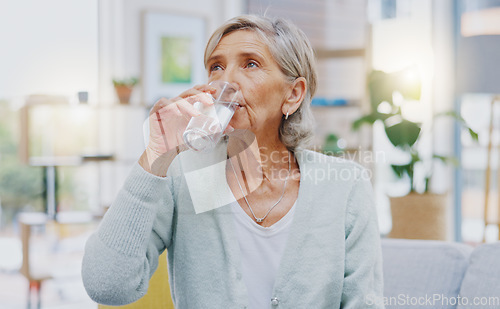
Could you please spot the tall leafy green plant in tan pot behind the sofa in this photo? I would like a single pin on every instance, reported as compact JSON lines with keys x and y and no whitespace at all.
{"x":420,"y":214}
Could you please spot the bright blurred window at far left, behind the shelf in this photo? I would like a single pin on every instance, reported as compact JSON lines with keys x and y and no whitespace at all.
{"x":48,"y":47}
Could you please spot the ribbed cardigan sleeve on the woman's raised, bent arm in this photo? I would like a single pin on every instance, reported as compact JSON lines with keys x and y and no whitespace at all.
{"x":123,"y":254}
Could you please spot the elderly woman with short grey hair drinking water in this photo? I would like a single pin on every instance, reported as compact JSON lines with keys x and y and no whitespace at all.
{"x":259,"y":222}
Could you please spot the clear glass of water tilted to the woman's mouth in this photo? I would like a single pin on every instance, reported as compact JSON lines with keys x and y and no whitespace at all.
{"x":205,"y":131}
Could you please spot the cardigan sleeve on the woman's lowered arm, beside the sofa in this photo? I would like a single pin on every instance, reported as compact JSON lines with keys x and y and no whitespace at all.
{"x":363,"y":279}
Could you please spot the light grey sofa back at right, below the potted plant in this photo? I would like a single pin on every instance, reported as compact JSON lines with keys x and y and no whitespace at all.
{"x":437,"y":274}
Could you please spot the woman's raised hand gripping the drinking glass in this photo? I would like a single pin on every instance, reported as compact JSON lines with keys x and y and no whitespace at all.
{"x":167,"y":122}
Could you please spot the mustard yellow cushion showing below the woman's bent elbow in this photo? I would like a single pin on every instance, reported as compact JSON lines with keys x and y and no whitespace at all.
{"x":158,"y":295}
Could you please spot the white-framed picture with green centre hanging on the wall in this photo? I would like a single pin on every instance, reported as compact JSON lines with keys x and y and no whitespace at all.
{"x":172,"y":57}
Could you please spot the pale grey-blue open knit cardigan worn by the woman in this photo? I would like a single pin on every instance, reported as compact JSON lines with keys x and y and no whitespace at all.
{"x":332,"y":258}
